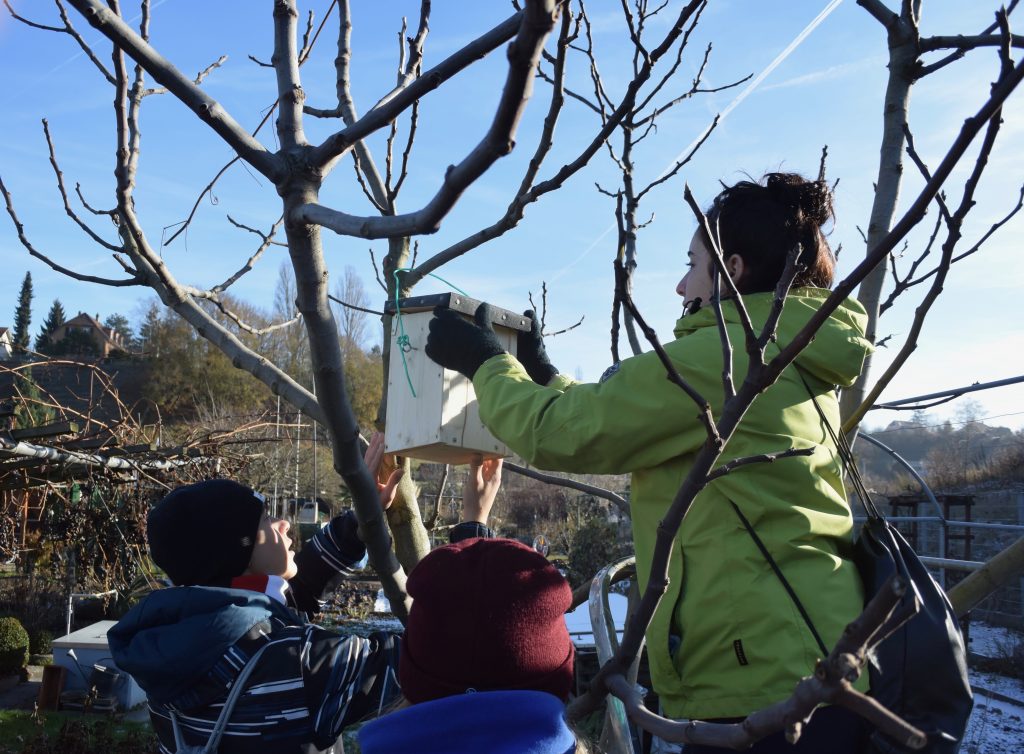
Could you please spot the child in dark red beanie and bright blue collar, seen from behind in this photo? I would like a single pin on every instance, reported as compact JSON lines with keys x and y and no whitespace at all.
{"x":487,"y":661}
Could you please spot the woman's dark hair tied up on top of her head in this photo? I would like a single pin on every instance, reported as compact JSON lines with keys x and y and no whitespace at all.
{"x":763,"y":222}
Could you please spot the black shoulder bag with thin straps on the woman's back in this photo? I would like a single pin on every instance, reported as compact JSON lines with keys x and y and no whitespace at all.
{"x":919,"y":673}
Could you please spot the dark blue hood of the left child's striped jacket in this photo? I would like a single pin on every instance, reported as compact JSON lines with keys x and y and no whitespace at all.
{"x":174,"y":639}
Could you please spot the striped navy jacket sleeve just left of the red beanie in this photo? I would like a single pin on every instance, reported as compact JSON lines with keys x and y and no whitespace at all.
{"x":348,"y":679}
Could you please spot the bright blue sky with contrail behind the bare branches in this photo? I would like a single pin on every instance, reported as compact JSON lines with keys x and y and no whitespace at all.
{"x":828,"y":92}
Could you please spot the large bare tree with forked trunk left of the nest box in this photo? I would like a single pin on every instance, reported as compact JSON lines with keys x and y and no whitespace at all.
{"x":297,"y":171}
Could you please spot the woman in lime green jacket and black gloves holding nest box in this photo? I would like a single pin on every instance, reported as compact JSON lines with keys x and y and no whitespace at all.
{"x":728,"y":639}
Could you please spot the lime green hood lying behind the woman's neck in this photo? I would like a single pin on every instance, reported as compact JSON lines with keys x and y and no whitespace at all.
{"x":837,"y":354}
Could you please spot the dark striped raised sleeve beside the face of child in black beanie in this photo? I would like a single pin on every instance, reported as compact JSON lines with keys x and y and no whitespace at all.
{"x":325,"y":559}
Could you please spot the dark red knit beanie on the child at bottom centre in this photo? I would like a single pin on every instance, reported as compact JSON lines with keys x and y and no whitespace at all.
{"x":488,"y":615}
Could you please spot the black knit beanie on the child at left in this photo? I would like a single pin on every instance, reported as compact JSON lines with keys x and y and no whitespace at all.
{"x":204,"y":534}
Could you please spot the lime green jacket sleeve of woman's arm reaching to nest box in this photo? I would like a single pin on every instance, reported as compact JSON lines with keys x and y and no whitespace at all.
{"x":634,"y":420}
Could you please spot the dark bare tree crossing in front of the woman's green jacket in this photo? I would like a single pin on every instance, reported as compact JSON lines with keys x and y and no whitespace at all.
{"x":831,"y":682}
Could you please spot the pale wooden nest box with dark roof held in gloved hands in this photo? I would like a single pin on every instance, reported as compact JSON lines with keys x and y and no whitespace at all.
{"x":442,"y":423}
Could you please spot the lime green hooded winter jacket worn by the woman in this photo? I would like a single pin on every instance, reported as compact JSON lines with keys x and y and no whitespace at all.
{"x":727,"y":639}
